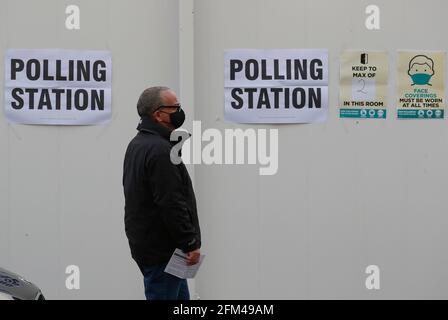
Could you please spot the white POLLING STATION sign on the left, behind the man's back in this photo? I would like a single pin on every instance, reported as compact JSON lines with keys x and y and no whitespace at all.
{"x":58,"y":87}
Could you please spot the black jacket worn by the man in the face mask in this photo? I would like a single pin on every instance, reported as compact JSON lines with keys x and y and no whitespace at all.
{"x":160,"y":205}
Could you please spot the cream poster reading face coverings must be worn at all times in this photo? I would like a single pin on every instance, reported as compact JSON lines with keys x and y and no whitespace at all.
{"x":421,"y":85}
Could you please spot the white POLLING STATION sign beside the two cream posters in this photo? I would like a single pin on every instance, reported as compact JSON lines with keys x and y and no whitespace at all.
{"x":276,"y":86}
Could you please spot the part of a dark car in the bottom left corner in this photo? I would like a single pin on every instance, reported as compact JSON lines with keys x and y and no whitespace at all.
{"x":17,"y":287}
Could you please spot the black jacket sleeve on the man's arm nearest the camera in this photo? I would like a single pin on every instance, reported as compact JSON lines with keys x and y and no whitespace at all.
{"x":167,"y":187}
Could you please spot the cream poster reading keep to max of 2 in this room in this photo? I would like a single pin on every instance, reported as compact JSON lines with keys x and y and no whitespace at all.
{"x":363,"y":85}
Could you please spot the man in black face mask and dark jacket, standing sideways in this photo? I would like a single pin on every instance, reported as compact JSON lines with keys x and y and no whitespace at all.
{"x":160,"y":205}
